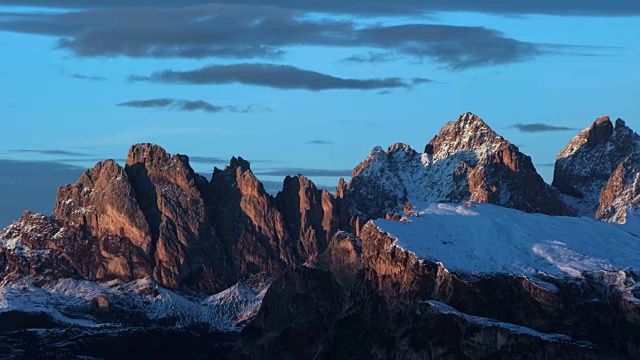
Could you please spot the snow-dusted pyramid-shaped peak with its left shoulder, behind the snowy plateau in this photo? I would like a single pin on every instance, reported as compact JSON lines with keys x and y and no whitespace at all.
{"x":466,"y":161}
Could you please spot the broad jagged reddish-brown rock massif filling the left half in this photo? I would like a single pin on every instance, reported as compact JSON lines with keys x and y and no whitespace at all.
{"x":158,"y":218}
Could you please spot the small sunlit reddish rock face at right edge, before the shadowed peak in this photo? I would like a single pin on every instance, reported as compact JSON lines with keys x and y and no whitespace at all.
{"x":620,"y":197}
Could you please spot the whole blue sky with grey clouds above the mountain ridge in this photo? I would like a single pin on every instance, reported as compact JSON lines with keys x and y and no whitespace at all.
{"x":67,"y":69}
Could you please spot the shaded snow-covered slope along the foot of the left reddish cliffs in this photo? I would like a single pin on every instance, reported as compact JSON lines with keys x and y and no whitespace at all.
{"x":75,"y":302}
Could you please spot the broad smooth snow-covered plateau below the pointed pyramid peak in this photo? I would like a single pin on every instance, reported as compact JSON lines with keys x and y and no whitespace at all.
{"x":490,"y":239}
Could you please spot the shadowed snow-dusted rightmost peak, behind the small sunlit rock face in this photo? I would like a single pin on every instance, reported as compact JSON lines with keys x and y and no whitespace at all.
{"x":584,"y":166}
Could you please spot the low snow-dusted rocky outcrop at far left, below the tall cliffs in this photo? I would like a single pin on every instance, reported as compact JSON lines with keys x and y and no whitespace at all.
{"x":40,"y":246}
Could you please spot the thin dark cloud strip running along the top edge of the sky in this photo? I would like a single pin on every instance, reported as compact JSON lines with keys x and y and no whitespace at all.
{"x":383,"y":7}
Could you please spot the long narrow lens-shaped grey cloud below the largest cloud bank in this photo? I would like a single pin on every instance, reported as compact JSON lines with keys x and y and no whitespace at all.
{"x":271,"y":75}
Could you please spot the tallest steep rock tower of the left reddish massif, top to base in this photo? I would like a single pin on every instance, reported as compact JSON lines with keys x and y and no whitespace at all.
{"x":172,"y":197}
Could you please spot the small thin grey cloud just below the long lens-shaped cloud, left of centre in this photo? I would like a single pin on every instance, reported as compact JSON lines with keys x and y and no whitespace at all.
{"x":188,"y":105}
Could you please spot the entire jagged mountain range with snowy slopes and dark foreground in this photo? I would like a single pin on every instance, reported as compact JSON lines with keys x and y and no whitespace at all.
{"x":457,"y":251}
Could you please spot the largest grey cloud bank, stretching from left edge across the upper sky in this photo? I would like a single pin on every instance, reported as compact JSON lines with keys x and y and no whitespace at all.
{"x":254,"y":31}
